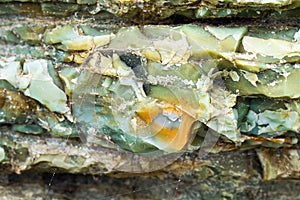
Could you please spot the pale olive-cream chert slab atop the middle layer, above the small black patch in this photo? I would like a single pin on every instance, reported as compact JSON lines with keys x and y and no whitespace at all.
{"x":189,"y":39}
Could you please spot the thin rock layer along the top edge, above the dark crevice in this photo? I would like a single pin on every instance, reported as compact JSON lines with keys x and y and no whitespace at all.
{"x":156,"y":10}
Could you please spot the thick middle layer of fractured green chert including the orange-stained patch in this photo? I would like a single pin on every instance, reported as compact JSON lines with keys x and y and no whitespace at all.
{"x":141,"y":85}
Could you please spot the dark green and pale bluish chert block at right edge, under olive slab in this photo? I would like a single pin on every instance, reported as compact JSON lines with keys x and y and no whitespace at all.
{"x":268,"y":117}
